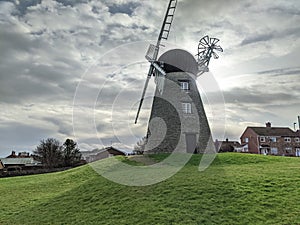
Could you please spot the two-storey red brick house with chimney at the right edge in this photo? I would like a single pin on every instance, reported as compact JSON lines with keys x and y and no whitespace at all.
{"x":272,"y":140}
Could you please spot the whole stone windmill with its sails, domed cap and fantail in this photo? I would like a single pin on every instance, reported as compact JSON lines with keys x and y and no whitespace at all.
{"x":178,"y":119}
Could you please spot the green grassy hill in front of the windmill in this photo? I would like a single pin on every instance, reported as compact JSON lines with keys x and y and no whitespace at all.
{"x":235,"y":189}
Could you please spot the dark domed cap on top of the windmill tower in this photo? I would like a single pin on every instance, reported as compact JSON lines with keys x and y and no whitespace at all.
{"x":178,"y":60}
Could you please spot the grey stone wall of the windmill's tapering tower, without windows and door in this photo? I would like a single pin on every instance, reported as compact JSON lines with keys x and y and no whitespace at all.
{"x":168,"y":124}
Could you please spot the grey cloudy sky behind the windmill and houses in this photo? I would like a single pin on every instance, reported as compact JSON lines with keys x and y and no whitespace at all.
{"x":75,"y":69}
